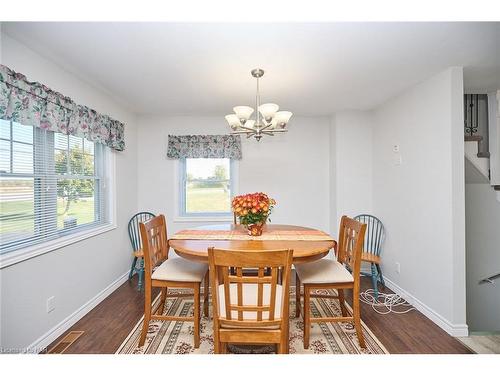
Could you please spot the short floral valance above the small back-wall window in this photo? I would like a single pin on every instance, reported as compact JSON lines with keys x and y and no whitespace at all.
{"x":204,"y":146}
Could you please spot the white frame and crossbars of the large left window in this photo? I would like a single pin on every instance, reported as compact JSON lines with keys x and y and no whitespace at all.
{"x":65,"y":237}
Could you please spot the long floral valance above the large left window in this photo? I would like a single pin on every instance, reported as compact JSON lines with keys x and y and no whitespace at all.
{"x":31,"y":103}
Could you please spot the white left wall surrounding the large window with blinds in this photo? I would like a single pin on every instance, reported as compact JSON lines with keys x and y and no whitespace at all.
{"x":77,"y":273}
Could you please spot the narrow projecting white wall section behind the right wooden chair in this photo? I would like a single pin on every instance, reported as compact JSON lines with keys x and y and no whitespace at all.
{"x":351,"y":150}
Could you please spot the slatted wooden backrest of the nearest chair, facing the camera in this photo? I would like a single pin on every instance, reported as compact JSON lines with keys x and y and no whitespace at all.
{"x":254,"y":306}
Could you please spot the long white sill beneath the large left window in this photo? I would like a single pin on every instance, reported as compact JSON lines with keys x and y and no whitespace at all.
{"x":17,"y":256}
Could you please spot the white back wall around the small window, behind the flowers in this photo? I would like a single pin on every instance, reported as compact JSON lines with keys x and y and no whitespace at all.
{"x":293,"y":168}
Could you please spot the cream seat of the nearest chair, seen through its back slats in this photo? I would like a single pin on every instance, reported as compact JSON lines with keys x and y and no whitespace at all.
{"x":249,"y":292}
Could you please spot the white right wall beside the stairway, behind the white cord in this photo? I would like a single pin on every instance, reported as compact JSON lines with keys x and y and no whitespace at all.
{"x":421,"y":201}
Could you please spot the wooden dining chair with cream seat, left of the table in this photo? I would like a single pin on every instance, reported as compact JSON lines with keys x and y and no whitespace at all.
{"x":164,"y":273}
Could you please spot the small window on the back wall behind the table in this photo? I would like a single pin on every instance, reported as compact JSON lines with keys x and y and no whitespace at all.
{"x":206,"y":187}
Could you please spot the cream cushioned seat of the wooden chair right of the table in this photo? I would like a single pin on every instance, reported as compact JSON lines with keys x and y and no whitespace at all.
{"x":323,"y":271}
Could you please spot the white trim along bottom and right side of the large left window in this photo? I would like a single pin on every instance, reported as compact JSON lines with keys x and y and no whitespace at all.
{"x":23,"y":254}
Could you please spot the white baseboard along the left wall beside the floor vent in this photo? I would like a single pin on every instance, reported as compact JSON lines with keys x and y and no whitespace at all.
{"x":42,"y":342}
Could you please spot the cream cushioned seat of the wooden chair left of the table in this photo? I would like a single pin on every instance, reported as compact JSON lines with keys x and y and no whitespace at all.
{"x":179,"y":269}
